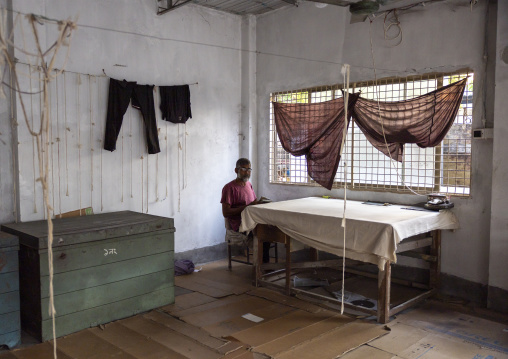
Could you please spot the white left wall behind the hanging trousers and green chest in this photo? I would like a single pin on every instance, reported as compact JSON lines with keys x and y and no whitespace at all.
{"x":187,"y":46}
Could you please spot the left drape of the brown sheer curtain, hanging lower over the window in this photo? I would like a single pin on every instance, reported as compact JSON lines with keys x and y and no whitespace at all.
{"x":314,"y":130}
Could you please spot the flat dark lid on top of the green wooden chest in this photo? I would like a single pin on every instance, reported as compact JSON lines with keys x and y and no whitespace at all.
{"x":67,"y":231}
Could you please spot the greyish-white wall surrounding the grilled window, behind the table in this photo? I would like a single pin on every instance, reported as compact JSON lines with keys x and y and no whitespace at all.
{"x":306,"y":46}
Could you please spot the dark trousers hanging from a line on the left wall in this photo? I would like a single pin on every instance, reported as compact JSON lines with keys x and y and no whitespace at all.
{"x":121,"y":93}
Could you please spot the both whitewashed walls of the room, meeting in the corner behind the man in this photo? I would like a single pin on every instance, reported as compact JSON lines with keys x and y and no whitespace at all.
{"x":288,"y":49}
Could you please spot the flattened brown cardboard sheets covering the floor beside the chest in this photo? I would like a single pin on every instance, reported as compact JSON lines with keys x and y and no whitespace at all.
{"x":217,"y":315}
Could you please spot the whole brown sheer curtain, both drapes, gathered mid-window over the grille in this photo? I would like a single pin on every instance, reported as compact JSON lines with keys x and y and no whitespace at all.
{"x":315,"y":130}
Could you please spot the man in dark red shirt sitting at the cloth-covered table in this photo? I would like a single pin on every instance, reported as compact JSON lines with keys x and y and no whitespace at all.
{"x":237,"y":195}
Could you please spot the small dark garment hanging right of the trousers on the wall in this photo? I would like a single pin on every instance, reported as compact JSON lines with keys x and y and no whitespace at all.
{"x":175,"y":103}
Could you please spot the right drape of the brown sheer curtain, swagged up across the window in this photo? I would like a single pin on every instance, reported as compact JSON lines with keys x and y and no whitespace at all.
{"x":424,"y":120}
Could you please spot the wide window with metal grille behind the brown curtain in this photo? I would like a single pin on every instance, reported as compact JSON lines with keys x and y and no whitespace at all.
{"x":445,"y":168}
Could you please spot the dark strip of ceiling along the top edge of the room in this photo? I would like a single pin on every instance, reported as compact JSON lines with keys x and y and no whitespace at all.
{"x":257,"y":7}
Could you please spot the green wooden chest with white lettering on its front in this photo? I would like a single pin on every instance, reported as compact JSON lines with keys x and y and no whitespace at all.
{"x":106,"y":267}
